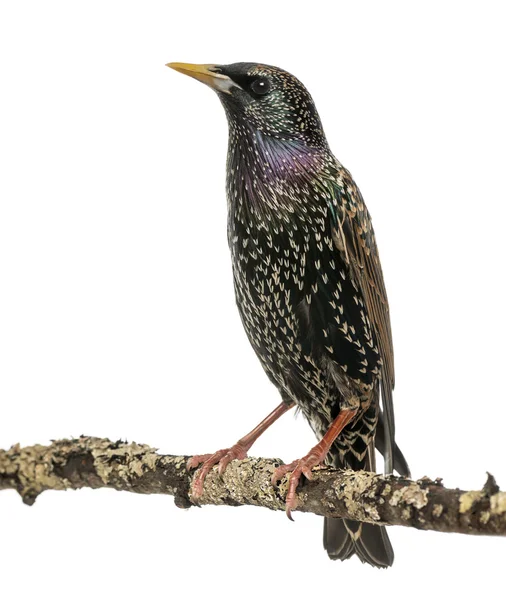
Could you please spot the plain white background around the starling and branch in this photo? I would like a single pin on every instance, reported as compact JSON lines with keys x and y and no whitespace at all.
{"x":117,"y":315}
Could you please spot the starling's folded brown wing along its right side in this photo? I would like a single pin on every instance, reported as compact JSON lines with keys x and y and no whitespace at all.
{"x":353,"y":237}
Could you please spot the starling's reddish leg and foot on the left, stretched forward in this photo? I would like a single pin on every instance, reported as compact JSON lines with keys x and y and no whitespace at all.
{"x":238,"y":451}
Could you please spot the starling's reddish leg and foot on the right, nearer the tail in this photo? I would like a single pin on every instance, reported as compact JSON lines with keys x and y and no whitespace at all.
{"x":315,"y":457}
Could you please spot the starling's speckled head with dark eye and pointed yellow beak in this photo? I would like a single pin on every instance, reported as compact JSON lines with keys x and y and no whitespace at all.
{"x":262,"y":98}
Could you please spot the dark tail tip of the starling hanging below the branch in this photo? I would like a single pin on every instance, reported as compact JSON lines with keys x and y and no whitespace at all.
{"x":343,"y":538}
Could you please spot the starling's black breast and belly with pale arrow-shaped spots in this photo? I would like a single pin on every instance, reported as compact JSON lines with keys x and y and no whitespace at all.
{"x":299,"y":303}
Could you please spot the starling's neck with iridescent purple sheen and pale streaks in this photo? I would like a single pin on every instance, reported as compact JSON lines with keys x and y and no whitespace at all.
{"x":267,"y":176}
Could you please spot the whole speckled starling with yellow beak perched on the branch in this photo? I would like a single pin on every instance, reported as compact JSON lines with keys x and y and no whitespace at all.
{"x":309,"y":288}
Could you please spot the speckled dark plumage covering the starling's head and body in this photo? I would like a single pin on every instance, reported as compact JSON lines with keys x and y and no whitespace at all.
{"x":300,"y":298}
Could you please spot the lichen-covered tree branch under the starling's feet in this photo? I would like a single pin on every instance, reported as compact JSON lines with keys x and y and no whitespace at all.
{"x":386,"y":500}
